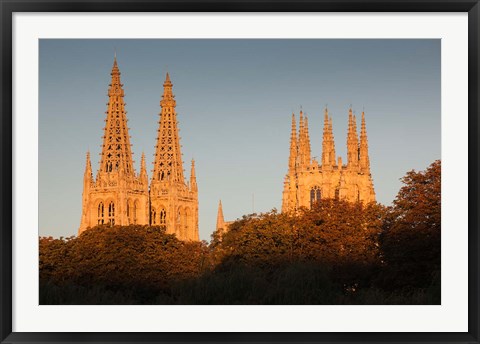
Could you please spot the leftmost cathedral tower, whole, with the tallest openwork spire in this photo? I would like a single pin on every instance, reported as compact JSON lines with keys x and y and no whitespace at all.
{"x":118,"y":195}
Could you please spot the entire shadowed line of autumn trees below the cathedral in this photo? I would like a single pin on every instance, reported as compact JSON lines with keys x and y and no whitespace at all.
{"x":335,"y":253}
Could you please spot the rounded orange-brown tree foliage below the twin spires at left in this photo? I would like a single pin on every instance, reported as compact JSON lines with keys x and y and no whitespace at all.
{"x":140,"y":258}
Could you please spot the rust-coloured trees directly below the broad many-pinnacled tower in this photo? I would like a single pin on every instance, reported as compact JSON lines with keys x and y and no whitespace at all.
{"x":338,"y":236}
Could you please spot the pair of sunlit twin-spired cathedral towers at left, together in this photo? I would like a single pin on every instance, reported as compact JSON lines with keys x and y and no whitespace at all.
{"x":120,"y":196}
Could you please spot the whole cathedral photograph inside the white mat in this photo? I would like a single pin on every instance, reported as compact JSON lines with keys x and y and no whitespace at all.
{"x":239,"y":171}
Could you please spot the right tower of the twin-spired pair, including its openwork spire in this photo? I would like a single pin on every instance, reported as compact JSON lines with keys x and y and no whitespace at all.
{"x":173,"y":202}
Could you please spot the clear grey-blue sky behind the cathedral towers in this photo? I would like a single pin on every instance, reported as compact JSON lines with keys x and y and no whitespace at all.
{"x":234,"y":105}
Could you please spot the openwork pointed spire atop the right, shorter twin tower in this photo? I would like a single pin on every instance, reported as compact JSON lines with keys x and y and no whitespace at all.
{"x":168,"y":157}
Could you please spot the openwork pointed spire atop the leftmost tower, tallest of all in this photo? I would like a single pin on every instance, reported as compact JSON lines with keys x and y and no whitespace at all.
{"x":116,"y":156}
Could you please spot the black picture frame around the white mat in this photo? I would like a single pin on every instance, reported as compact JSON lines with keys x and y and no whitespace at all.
{"x":9,"y":7}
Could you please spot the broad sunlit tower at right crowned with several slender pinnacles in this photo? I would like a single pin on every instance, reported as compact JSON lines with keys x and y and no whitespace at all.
{"x":307,"y":180}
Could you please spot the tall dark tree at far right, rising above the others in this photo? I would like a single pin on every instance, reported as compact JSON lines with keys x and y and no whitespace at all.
{"x":411,"y":240}
